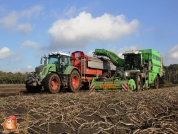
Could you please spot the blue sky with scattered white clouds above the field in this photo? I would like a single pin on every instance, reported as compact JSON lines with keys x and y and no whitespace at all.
{"x":30,"y":29}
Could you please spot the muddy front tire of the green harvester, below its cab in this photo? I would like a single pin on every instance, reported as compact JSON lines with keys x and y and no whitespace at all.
{"x":138,"y":82}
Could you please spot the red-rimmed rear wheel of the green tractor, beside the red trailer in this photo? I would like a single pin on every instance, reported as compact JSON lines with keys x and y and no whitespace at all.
{"x":74,"y":81}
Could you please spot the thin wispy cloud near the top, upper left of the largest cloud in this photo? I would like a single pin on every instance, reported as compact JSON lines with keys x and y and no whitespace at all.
{"x":32,"y":12}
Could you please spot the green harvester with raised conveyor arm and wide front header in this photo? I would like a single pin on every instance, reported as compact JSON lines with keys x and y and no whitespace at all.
{"x":138,"y":70}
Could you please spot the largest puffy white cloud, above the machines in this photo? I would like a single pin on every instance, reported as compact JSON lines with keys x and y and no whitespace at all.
{"x":84,"y":29}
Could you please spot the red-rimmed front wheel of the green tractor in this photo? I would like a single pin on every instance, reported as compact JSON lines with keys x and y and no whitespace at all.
{"x":52,"y":83}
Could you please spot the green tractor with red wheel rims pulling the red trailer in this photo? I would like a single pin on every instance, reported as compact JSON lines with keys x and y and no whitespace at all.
{"x":54,"y":75}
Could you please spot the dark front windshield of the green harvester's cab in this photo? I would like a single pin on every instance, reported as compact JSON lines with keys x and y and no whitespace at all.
{"x":132,"y":61}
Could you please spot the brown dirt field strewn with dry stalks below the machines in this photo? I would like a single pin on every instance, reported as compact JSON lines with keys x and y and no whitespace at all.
{"x":147,"y":112}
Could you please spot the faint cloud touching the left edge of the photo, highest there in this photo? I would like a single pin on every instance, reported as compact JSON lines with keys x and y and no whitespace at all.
{"x":9,"y":21}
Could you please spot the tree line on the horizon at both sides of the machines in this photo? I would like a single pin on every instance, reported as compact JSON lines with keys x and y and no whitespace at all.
{"x":171,"y":76}
